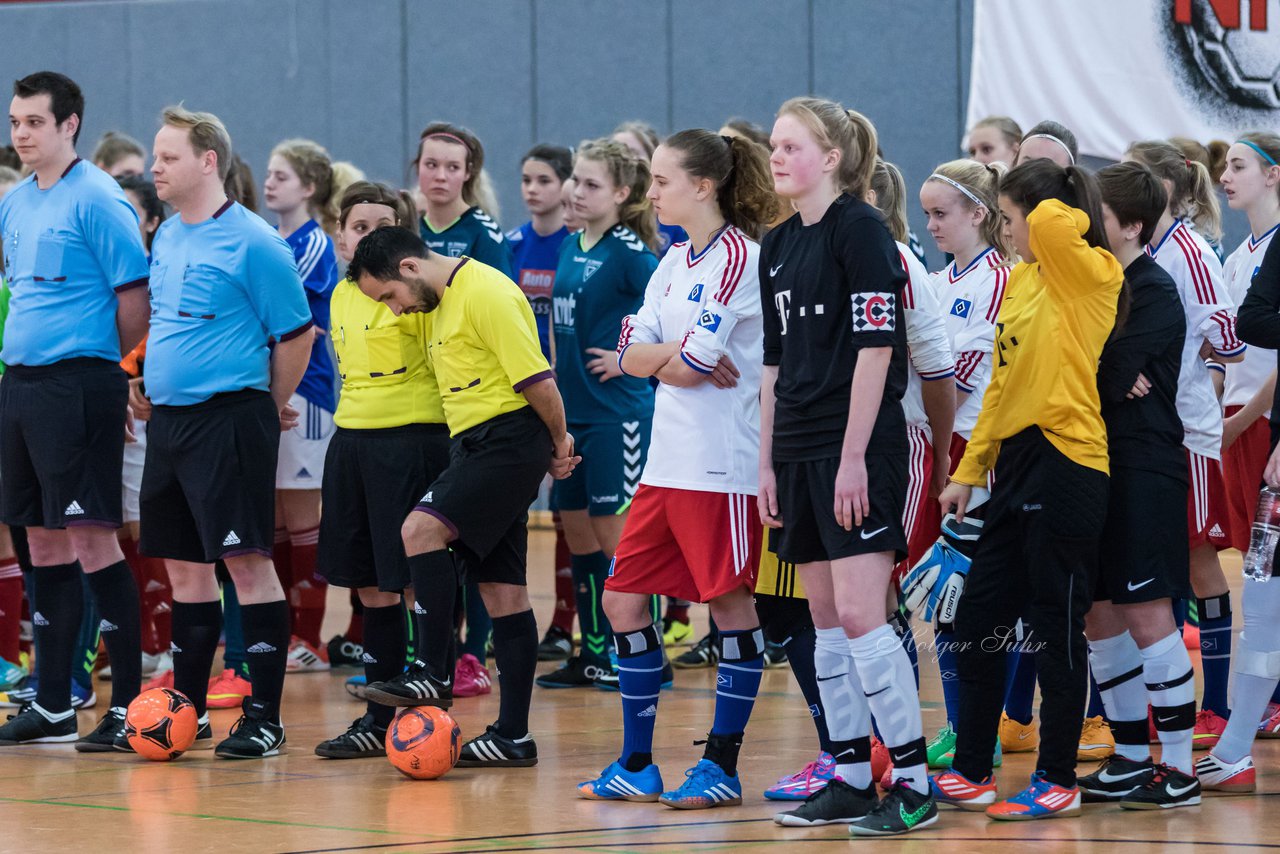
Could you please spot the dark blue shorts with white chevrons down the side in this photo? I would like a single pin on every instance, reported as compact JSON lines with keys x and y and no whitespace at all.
{"x":614,"y":456}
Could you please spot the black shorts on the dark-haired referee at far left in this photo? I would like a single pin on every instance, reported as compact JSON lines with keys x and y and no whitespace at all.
{"x":62,"y":444}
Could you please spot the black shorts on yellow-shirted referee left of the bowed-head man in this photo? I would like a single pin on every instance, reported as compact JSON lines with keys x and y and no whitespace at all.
{"x":372,"y":482}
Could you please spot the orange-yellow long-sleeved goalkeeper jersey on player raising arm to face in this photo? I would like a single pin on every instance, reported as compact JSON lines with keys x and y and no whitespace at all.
{"x":1057,"y":316}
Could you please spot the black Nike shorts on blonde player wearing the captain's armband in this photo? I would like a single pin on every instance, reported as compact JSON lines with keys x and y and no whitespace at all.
{"x":807,"y":499}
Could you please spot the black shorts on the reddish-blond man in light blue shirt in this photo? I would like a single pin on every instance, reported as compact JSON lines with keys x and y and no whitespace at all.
{"x":209,"y":481}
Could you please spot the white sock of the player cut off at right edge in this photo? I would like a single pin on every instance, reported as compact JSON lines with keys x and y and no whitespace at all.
{"x":1252,"y":691}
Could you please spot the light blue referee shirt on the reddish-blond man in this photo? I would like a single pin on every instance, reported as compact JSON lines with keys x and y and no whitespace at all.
{"x":221,"y":290}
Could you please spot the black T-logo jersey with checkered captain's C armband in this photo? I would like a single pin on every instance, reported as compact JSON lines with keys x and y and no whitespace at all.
{"x":829,"y":291}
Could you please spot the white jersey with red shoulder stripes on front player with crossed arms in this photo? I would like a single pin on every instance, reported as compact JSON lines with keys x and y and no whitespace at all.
{"x":706,"y":439}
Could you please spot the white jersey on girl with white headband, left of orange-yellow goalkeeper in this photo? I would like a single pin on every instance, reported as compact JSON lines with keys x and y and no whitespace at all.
{"x":971,"y":303}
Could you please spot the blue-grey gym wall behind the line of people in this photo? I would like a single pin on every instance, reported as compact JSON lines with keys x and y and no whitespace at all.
{"x":364,"y":77}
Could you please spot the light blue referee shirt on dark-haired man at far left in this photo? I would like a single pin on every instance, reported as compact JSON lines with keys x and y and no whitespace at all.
{"x":68,"y":252}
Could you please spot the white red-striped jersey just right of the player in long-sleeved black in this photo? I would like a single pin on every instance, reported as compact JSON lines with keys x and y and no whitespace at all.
{"x":1210,"y":317}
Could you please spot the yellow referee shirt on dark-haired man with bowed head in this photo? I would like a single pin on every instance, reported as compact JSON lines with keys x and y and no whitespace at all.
{"x":484,"y":346}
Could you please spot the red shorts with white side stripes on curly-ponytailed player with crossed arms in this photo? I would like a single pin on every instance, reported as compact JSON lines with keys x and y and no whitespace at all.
{"x":689,"y":545}
